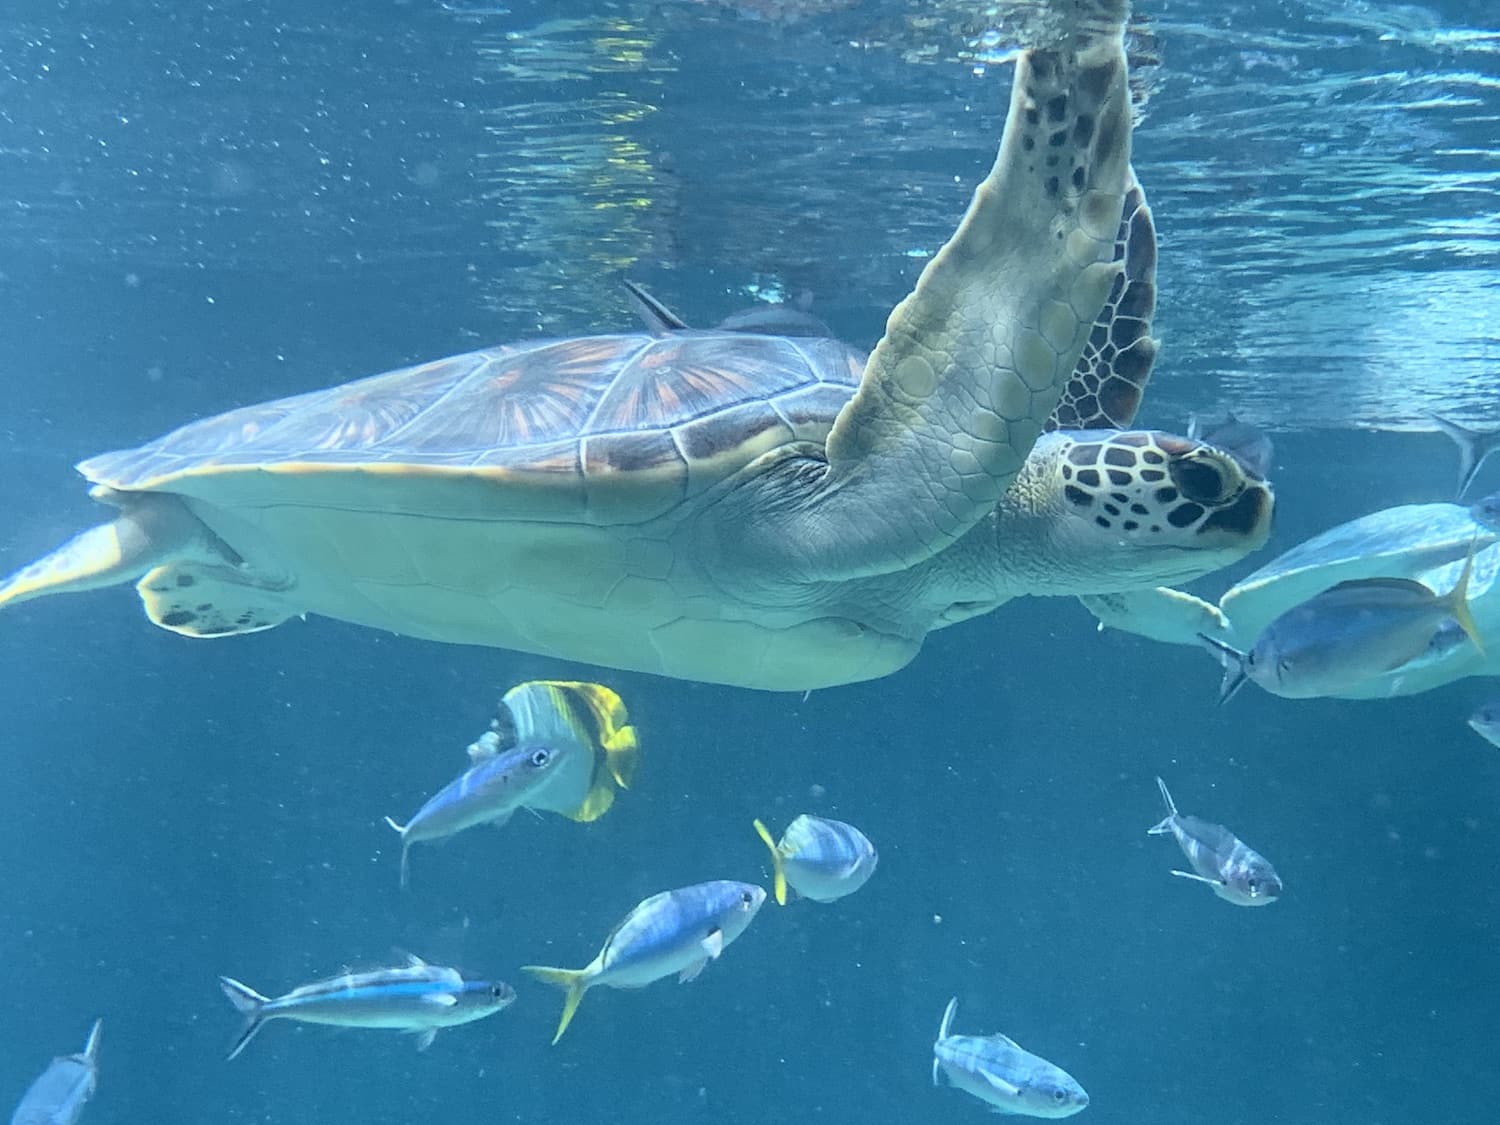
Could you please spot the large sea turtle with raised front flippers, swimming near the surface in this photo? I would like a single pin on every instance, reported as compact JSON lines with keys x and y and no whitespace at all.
{"x":734,"y":508}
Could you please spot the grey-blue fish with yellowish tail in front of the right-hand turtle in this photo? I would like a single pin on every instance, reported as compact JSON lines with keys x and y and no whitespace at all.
{"x":1348,"y":635}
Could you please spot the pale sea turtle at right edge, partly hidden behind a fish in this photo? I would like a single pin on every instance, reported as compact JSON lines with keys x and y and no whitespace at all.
{"x":1424,"y":542}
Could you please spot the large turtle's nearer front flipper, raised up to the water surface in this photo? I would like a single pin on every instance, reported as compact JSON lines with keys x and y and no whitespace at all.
{"x":976,"y":359}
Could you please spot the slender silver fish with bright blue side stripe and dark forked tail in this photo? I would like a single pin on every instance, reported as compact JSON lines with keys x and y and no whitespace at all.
{"x":416,"y":998}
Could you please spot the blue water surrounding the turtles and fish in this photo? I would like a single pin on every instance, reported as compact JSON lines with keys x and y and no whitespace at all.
{"x":206,"y":206}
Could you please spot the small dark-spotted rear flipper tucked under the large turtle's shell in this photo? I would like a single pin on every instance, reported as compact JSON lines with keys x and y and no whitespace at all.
{"x":206,"y":601}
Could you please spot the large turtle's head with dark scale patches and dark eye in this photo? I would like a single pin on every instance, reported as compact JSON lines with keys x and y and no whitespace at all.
{"x":1142,"y":508}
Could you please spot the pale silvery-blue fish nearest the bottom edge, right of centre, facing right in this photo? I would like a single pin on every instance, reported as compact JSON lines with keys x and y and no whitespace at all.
{"x":1003,"y":1075}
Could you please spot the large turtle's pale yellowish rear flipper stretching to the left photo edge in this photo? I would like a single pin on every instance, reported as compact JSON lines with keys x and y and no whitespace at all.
{"x":149,"y":532}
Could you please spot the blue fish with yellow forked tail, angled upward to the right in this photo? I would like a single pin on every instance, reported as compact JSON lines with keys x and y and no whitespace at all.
{"x":676,"y":932}
